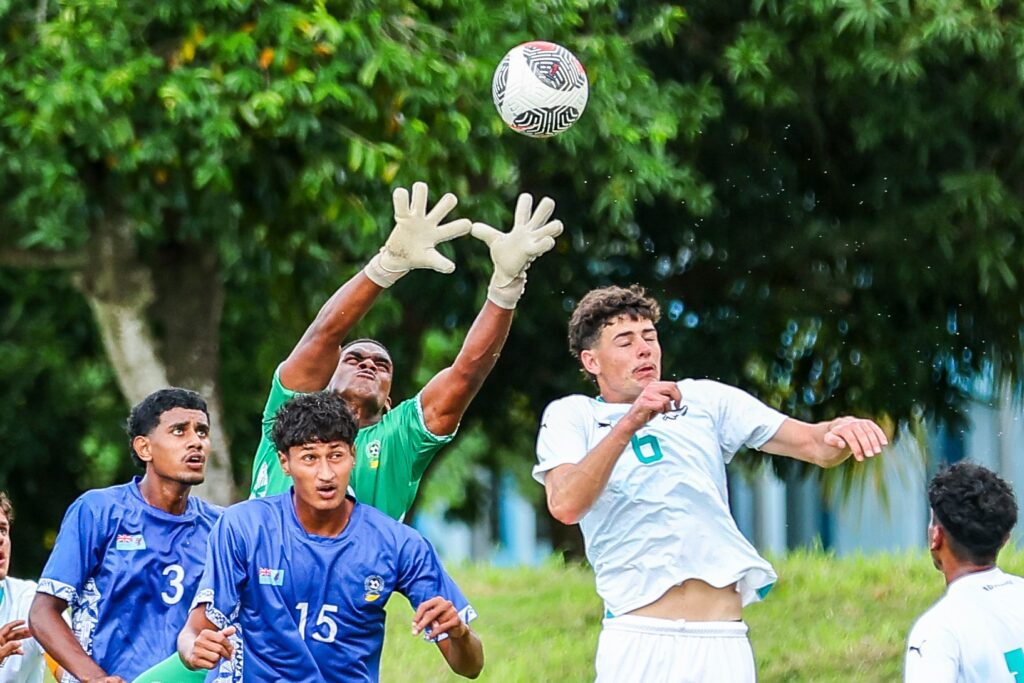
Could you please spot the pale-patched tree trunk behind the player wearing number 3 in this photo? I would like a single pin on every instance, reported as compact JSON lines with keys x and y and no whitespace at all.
{"x":183,"y":291}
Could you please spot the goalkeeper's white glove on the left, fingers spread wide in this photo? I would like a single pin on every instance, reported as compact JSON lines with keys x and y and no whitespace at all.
{"x":413,"y":243}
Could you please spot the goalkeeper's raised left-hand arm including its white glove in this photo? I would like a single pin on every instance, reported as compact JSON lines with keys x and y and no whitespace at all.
{"x":413,"y":244}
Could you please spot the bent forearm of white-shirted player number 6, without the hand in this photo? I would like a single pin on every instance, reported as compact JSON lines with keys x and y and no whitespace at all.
{"x":574,"y":490}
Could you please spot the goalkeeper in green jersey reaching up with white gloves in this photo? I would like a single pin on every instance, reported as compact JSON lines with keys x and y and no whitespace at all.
{"x":397,"y":443}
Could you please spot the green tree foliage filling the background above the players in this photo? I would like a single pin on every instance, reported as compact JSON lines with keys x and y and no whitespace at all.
{"x":825,"y":194}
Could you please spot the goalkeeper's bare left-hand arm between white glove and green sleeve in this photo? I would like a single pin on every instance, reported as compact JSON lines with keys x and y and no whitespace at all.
{"x":315,"y":358}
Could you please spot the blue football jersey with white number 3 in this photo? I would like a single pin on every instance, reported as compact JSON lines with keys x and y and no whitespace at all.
{"x":130,"y":572}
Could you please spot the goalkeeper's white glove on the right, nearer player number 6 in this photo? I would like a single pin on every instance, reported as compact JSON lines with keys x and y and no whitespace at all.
{"x":513,"y":252}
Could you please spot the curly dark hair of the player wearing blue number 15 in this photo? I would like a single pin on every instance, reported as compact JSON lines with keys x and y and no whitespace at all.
{"x":314,"y":418}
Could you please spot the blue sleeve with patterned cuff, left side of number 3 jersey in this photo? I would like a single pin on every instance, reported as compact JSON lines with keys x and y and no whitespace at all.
{"x":77,"y":552}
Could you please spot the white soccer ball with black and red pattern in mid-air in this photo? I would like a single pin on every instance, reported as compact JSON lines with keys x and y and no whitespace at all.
{"x":540,"y":89}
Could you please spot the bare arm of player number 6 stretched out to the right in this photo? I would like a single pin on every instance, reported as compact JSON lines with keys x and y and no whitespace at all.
{"x":828,"y":444}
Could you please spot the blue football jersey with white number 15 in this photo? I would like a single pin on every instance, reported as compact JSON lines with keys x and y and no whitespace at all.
{"x":310,"y":608}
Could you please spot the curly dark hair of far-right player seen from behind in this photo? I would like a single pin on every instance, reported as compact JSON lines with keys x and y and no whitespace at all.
{"x":976,"y":508}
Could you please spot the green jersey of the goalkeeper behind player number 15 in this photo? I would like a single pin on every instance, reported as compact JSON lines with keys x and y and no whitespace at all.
{"x":391,"y":456}
